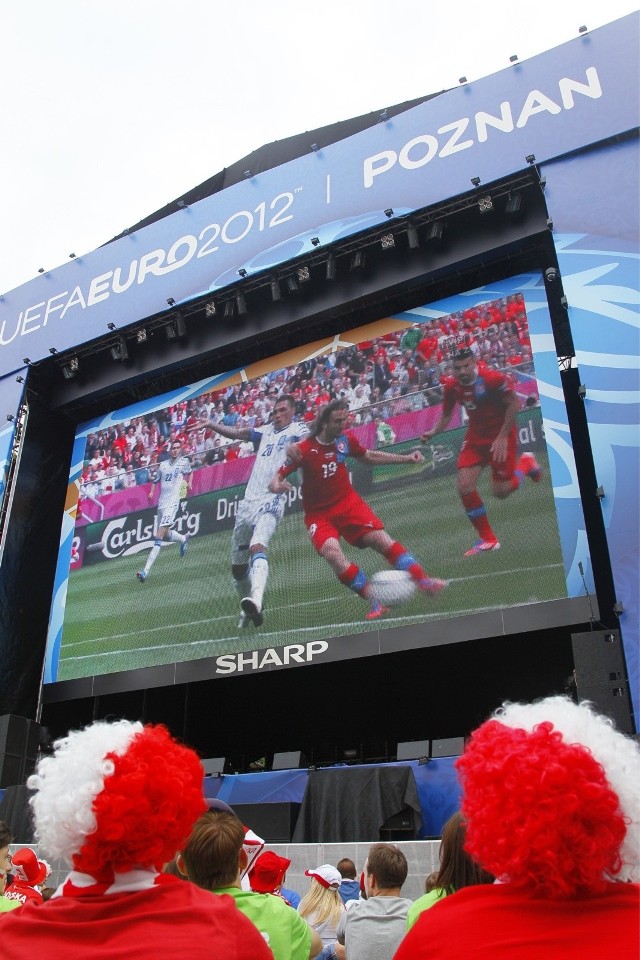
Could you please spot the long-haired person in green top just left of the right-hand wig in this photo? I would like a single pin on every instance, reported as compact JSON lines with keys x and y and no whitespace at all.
{"x":457,"y":869}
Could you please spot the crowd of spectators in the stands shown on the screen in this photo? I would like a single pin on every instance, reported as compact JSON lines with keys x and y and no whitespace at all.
{"x":386,"y":376}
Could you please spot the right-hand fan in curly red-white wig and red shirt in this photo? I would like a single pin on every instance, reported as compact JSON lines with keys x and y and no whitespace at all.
{"x":552,"y":807}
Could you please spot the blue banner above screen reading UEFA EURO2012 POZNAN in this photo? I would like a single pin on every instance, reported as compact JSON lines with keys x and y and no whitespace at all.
{"x":579,"y":93}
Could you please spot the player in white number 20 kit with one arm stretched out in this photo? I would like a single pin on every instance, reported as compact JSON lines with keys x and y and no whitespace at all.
{"x":260,"y":511}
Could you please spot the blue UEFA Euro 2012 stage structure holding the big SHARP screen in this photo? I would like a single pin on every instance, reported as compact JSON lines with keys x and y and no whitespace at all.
{"x":500,"y":216}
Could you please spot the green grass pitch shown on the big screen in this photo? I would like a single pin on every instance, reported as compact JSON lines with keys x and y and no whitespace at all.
{"x":188,"y":608}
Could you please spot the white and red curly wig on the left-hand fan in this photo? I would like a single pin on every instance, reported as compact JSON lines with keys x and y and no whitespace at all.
{"x":116,"y":797}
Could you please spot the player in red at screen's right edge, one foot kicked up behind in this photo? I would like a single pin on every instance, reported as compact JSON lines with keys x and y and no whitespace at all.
{"x":492,"y":405}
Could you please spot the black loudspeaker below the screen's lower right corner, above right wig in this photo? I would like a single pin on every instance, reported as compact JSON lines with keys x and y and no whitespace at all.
{"x":601,"y":676}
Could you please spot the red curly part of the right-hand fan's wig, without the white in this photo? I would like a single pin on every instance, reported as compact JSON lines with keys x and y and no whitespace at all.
{"x":540,"y":812}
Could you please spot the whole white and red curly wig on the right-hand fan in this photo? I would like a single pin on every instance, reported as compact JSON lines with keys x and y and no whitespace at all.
{"x":551,"y":798}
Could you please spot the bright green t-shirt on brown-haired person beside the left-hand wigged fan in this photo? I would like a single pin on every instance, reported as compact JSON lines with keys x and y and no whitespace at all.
{"x":285,"y":931}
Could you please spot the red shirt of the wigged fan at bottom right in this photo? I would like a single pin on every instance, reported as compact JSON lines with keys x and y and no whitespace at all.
{"x":500,"y":922}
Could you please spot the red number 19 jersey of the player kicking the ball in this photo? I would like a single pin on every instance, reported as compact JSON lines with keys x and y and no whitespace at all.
{"x":325,"y":477}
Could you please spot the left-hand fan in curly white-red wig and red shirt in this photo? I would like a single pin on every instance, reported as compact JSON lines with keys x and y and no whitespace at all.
{"x":116,"y":801}
